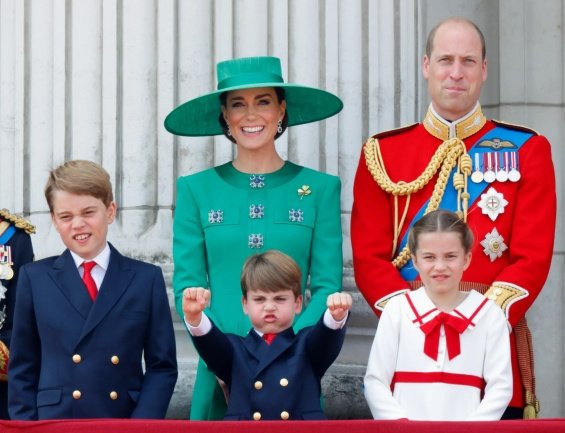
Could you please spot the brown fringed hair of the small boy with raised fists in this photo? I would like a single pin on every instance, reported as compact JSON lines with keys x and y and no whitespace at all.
{"x":271,"y":271}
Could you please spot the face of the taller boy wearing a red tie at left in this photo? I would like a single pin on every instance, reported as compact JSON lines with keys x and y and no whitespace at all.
{"x":82,"y":222}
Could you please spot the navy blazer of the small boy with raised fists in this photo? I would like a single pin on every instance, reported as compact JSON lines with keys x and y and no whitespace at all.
{"x":277,"y":381}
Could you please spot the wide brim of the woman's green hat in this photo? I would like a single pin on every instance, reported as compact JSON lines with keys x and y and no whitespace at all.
{"x":199,"y":117}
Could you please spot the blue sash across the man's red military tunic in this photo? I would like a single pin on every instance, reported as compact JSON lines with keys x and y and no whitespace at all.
{"x":449,"y":199}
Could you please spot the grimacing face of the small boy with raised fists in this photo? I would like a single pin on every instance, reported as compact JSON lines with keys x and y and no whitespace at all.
{"x":271,"y":312}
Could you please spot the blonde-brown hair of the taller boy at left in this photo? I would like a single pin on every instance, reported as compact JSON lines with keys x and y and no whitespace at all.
{"x":79,"y":177}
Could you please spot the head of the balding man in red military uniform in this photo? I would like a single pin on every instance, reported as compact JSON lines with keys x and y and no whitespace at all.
{"x":455,"y":69}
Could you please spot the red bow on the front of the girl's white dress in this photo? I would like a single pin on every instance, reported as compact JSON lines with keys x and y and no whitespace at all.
{"x":453,"y":327}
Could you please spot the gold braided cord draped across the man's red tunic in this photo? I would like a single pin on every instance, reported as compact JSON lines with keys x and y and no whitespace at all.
{"x":449,"y":154}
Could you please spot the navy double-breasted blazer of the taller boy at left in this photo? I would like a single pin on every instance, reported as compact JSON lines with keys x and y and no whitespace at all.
{"x":72,"y":358}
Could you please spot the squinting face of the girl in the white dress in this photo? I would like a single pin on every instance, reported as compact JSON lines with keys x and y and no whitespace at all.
{"x":440,"y":259}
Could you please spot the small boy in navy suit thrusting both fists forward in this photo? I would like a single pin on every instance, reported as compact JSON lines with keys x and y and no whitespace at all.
{"x":271,"y":373}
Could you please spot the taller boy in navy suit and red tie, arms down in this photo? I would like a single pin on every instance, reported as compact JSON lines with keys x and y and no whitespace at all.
{"x":78,"y":344}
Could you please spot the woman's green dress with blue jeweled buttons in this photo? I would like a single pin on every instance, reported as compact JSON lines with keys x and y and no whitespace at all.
{"x":223,"y":216}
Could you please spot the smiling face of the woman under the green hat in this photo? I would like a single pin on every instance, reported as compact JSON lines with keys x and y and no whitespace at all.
{"x":253,"y":116}
